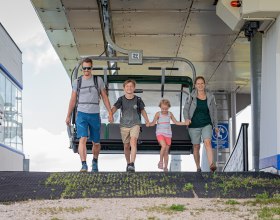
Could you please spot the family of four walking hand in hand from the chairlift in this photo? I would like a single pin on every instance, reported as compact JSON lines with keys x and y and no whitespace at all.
{"x":200,"y":114}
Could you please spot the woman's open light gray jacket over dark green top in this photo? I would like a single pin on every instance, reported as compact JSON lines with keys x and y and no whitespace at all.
{"x":190,"y":106}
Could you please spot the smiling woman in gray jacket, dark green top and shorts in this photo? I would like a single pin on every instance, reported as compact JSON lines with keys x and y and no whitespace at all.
{"x":200,"y":113}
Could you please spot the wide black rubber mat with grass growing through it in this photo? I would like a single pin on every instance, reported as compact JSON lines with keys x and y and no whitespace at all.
{"x":19,"y":186}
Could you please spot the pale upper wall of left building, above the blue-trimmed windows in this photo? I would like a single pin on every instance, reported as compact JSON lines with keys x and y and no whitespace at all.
{"x":10,"y":55}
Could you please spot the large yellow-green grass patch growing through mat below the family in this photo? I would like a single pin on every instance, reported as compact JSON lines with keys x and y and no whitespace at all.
{"x":88,"y":185}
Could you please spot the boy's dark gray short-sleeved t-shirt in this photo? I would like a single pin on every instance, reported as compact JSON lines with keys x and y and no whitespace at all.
{"x":129,"y":114}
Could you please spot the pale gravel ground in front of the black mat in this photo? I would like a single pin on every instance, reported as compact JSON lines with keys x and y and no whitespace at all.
{"x":130,"y":208}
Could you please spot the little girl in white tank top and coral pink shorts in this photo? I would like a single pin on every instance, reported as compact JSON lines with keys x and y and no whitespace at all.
{"x":163,"y":131}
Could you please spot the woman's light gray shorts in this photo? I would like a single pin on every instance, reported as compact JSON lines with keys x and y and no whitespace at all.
{"x":197,"y":133}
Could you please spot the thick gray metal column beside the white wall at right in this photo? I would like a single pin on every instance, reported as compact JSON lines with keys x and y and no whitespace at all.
{"x":256,"y":68}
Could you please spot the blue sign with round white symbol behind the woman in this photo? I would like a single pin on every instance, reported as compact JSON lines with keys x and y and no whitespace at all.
{"x":220,"y":138}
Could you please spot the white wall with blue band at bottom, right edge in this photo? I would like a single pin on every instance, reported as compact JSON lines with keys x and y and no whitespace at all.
{"x":270,"y":99}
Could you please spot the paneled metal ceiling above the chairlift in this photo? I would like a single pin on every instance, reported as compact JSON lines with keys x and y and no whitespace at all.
{"x":178,"y":28}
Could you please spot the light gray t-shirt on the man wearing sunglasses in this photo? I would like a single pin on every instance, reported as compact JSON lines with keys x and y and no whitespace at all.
{"x":88,"y":94}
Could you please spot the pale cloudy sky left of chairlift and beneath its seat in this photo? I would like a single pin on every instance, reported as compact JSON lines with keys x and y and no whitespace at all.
{"x":46,"y":96}
